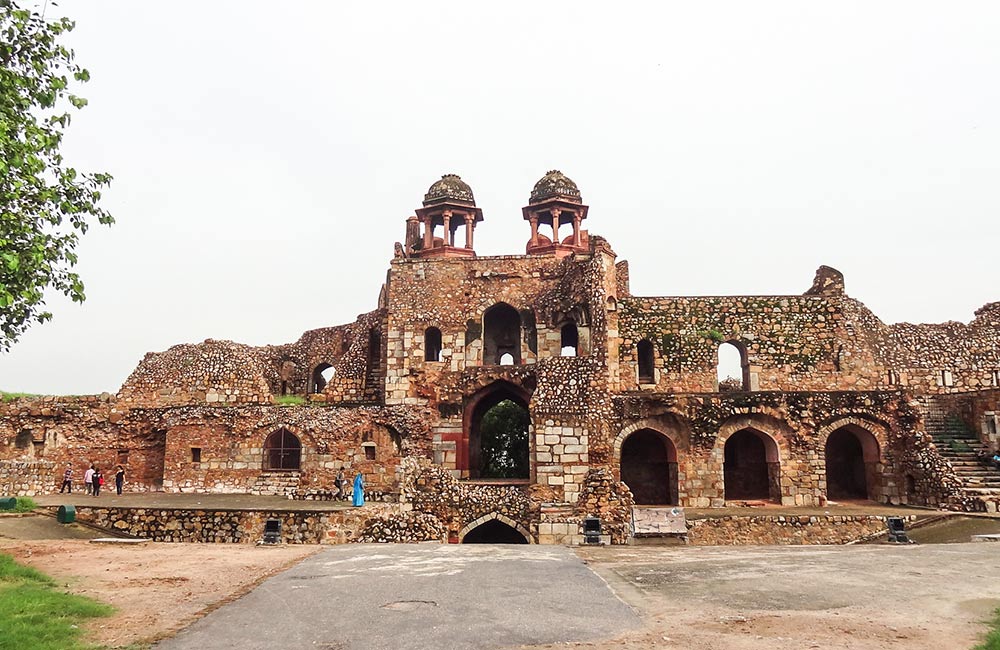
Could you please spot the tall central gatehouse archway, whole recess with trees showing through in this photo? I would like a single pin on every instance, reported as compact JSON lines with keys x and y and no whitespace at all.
{"x":498,"y":426}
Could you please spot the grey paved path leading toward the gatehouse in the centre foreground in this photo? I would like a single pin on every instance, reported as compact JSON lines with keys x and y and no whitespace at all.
{"x":367,"y":597}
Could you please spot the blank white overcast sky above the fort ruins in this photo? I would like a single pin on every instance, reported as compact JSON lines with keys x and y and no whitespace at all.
{"x":266,"y":155}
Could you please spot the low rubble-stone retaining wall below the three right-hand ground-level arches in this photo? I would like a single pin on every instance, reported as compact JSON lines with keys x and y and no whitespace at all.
{"x":785,"y":530}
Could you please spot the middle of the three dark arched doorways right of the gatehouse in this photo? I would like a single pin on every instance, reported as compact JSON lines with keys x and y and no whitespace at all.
{"x":751,"y":468}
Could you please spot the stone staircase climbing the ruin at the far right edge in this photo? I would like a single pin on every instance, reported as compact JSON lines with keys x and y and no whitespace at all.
{"x":956,"y":443}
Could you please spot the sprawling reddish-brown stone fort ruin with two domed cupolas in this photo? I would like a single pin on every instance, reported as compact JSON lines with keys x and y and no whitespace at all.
{"x":615,"y":398}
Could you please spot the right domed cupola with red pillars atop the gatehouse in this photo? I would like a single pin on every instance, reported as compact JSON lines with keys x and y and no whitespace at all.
{"x":555,"y":201}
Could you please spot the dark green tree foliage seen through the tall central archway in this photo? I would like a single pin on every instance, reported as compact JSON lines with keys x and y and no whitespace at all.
{"x":503,"y":435}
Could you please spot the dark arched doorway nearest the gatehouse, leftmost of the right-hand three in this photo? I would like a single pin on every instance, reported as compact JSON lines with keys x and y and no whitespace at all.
{"x":649,"y":467}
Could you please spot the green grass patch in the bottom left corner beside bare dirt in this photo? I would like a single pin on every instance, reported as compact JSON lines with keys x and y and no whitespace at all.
{"x":35,"y":613}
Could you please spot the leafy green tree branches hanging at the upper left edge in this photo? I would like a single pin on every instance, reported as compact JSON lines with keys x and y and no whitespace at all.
{"x":45,"y":205}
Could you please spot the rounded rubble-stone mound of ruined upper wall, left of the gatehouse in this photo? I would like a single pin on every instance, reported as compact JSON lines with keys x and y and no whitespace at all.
{"x":212,"y":372}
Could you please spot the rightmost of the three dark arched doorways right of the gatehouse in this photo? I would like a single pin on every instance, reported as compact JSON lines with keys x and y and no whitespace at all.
{"x":851,"y":456}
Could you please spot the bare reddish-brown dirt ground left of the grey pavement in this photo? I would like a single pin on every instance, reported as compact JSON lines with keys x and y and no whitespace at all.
{"x":157,"y":588}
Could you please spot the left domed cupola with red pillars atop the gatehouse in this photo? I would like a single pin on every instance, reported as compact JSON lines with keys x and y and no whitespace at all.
{"x":448,"y":203}
